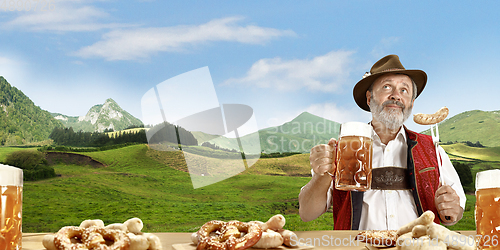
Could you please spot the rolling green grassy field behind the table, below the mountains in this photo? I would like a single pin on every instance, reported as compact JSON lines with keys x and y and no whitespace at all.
{"x":155,"y":186}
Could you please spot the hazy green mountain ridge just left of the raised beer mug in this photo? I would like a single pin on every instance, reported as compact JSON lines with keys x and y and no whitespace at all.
{"x":298,"y":135}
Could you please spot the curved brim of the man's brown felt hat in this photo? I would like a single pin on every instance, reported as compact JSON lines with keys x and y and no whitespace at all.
{"x":359,"y":91}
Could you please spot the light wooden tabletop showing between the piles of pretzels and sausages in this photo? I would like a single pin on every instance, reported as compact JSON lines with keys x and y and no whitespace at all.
{"x":343,"y":240}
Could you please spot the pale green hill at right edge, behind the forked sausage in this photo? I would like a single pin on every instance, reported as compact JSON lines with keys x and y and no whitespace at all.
{"x":473,"y":126}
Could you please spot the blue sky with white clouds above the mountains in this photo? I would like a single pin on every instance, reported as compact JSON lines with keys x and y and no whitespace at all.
{"x":279,"y":57}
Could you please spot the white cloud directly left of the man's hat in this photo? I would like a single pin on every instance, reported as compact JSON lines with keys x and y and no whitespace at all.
{"x":322,"y":73}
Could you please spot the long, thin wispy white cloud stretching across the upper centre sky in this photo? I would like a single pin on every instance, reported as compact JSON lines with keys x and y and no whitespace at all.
{"x":140,"y":43}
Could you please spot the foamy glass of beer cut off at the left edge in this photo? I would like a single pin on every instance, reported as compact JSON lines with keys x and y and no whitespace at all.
{"x":11,"y":185}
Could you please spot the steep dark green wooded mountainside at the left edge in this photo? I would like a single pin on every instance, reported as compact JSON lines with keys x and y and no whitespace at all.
{"x":21,"y":121}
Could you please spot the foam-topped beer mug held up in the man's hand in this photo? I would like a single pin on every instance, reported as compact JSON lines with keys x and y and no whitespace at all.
{"x":354,"y":157}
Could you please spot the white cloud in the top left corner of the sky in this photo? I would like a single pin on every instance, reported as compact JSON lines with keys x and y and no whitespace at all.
{"x":66,"y":16}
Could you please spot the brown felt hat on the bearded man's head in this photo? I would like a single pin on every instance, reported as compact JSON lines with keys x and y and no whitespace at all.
{"x":388,"y":64}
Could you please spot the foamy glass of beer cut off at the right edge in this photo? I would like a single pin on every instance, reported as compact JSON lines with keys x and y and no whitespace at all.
{"x":488,"y":209}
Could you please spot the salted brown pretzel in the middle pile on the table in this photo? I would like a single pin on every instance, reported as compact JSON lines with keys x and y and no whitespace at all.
{"x":232,"y":235}
